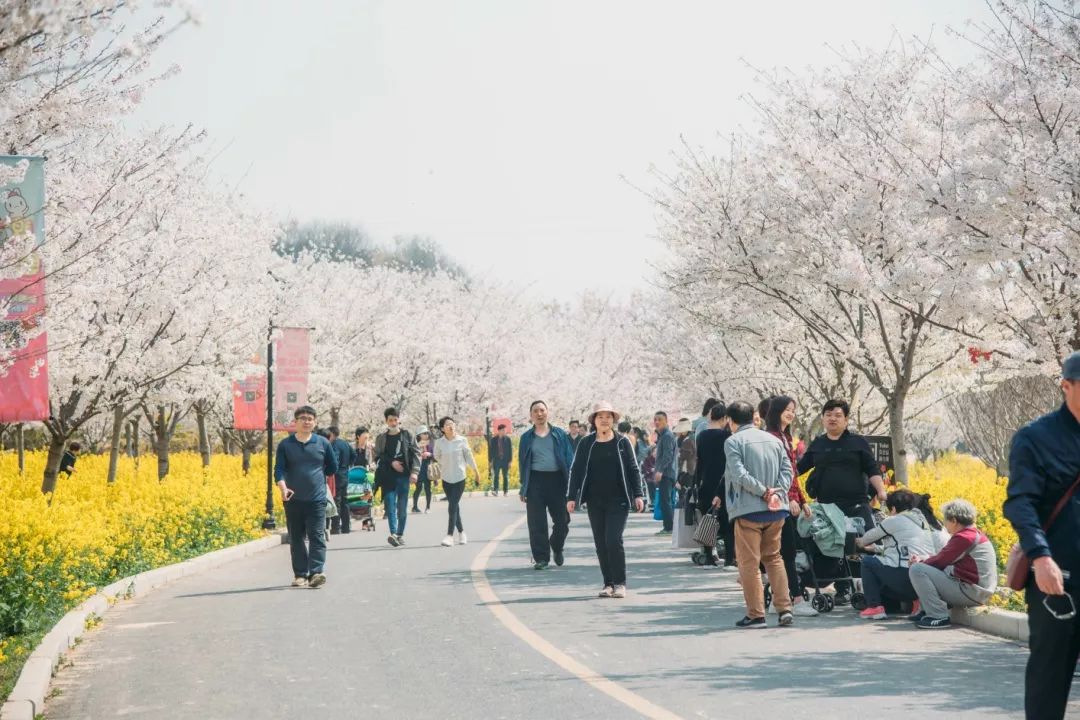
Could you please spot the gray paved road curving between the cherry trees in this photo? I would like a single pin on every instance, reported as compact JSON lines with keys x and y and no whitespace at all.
{"x":402,"y":633}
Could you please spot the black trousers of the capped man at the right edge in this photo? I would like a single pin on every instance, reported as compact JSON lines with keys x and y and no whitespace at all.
{"x":1056,"y":645}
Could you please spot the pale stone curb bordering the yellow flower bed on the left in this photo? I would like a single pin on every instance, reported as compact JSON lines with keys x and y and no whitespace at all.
{"x":28,"y":698}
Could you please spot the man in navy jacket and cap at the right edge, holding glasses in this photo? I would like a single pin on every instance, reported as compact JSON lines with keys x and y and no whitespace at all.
{"x":1044,"y":472}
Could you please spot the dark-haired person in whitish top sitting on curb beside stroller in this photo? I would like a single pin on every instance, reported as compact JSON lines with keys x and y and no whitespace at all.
{"x":904,"y":534}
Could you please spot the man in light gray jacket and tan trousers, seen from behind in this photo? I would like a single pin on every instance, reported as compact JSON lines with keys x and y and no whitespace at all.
{"x":759,"y":470}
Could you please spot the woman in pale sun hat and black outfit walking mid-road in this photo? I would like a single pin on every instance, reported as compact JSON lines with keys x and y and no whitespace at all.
{"x":605,"y":476}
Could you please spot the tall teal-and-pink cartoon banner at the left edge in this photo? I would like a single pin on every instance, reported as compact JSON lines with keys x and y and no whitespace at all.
{"x":24,"y":377}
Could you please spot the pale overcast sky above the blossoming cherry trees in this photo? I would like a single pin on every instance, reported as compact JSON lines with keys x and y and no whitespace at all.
{"x":502,"y":129}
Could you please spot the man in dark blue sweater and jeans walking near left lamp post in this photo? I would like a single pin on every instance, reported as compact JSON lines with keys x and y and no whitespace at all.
{"x":305,"y":460}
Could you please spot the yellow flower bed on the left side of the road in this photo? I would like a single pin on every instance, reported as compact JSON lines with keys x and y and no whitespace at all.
{"x":58,"y":550}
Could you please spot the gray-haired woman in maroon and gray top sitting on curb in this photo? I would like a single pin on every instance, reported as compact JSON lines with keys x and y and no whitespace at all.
{"x":964,"y":575}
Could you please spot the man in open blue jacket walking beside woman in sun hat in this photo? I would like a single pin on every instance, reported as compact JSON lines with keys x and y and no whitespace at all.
{"x":545,"y":457}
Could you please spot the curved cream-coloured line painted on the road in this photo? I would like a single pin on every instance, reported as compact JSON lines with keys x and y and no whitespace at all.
{"x":573,"y":667}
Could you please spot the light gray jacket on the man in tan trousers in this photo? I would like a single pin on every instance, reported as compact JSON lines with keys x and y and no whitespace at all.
{"x":757,"y":463}
